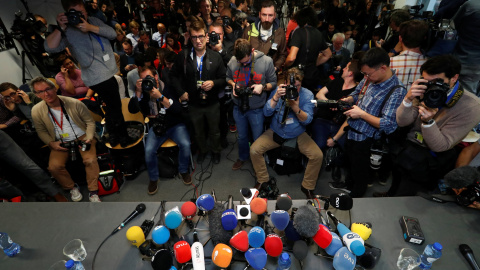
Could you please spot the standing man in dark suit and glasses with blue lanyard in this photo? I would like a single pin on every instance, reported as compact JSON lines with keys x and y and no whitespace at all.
{"x":198,"y":74}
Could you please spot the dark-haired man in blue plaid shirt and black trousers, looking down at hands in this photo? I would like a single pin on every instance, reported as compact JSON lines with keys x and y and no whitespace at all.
{"x":367,"y":119}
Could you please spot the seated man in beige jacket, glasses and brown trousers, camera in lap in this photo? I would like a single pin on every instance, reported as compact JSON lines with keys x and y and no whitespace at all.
{"x":66,"y":126}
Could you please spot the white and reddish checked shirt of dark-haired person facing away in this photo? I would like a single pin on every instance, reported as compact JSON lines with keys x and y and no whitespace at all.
{"x":407,"y":66}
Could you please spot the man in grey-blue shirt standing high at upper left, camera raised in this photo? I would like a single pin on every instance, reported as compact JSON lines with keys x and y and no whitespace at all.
{"x":89,"y":42}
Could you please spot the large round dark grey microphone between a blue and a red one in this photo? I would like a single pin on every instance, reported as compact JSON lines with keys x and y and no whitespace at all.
{"x":306,"y":221}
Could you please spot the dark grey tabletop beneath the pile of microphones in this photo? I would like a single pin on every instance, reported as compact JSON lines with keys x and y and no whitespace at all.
{"x":42,"y":229}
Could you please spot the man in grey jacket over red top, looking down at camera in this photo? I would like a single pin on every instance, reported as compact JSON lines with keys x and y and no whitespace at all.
{"x":251,"y":75}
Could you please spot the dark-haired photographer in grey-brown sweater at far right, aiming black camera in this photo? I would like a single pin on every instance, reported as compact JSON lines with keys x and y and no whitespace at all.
{"x":441,"y":113}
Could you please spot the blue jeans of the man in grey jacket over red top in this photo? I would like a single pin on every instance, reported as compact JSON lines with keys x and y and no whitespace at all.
{"x":255,"y":119}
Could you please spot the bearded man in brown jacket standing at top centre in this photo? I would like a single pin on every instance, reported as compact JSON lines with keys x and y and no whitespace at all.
{"x":267,"y":36}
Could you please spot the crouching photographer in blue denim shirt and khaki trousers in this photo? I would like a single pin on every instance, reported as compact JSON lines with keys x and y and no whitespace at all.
{"x":299,"y":115}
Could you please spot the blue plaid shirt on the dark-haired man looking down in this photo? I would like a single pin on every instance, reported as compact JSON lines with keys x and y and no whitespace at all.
{"x":371,"y":103}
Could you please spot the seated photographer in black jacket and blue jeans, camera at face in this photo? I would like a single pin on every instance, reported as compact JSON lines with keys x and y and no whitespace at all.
{"x":164,"y":111}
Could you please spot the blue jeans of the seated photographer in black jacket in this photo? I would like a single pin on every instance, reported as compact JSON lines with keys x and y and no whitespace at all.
{"x":180,"y":136}
